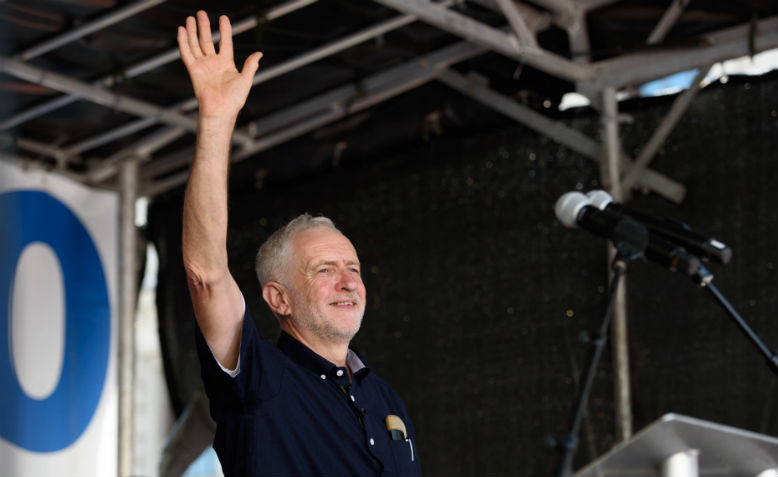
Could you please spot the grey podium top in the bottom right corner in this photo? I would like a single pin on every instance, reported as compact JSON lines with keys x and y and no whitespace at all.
{"x":682,"y":446}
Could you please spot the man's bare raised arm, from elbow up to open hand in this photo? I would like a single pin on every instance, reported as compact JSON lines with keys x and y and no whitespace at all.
{"x":221,"y":91}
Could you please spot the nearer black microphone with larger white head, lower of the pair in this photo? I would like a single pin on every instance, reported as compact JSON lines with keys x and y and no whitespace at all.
{"x":574,"y":209}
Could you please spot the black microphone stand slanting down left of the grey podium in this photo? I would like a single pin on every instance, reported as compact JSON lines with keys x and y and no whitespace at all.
{"x":625,"y":252}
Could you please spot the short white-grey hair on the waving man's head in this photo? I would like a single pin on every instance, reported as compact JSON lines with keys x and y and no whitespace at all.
{"x":272,"y":256}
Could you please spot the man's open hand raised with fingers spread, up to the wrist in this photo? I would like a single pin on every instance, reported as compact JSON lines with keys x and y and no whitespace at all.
{"x":220,"y":88}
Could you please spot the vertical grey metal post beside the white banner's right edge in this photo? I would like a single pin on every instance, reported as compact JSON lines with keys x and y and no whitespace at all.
{"x":128,"y":179}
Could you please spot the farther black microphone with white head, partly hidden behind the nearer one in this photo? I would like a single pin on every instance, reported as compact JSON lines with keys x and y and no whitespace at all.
{"x":677,"y":232}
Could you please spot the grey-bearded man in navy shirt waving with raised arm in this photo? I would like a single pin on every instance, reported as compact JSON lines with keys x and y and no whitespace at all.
{"x":308,"y":405}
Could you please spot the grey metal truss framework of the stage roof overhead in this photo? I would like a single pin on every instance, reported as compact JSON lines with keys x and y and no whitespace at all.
{"x":519,"y":42}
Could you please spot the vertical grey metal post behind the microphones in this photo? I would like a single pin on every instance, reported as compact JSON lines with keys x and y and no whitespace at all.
{"x":610,"y":175}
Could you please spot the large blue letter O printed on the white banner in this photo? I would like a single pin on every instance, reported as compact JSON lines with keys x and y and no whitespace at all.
{"x":54,"y":423}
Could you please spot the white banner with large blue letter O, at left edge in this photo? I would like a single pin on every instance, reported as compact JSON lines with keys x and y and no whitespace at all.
{"x":58,"y":283}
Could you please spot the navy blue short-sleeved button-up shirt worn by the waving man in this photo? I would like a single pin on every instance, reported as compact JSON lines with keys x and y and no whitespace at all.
{"x":291,"y":412}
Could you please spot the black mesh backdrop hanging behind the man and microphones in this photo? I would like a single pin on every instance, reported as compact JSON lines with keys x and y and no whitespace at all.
{"x":478,"y":297}
